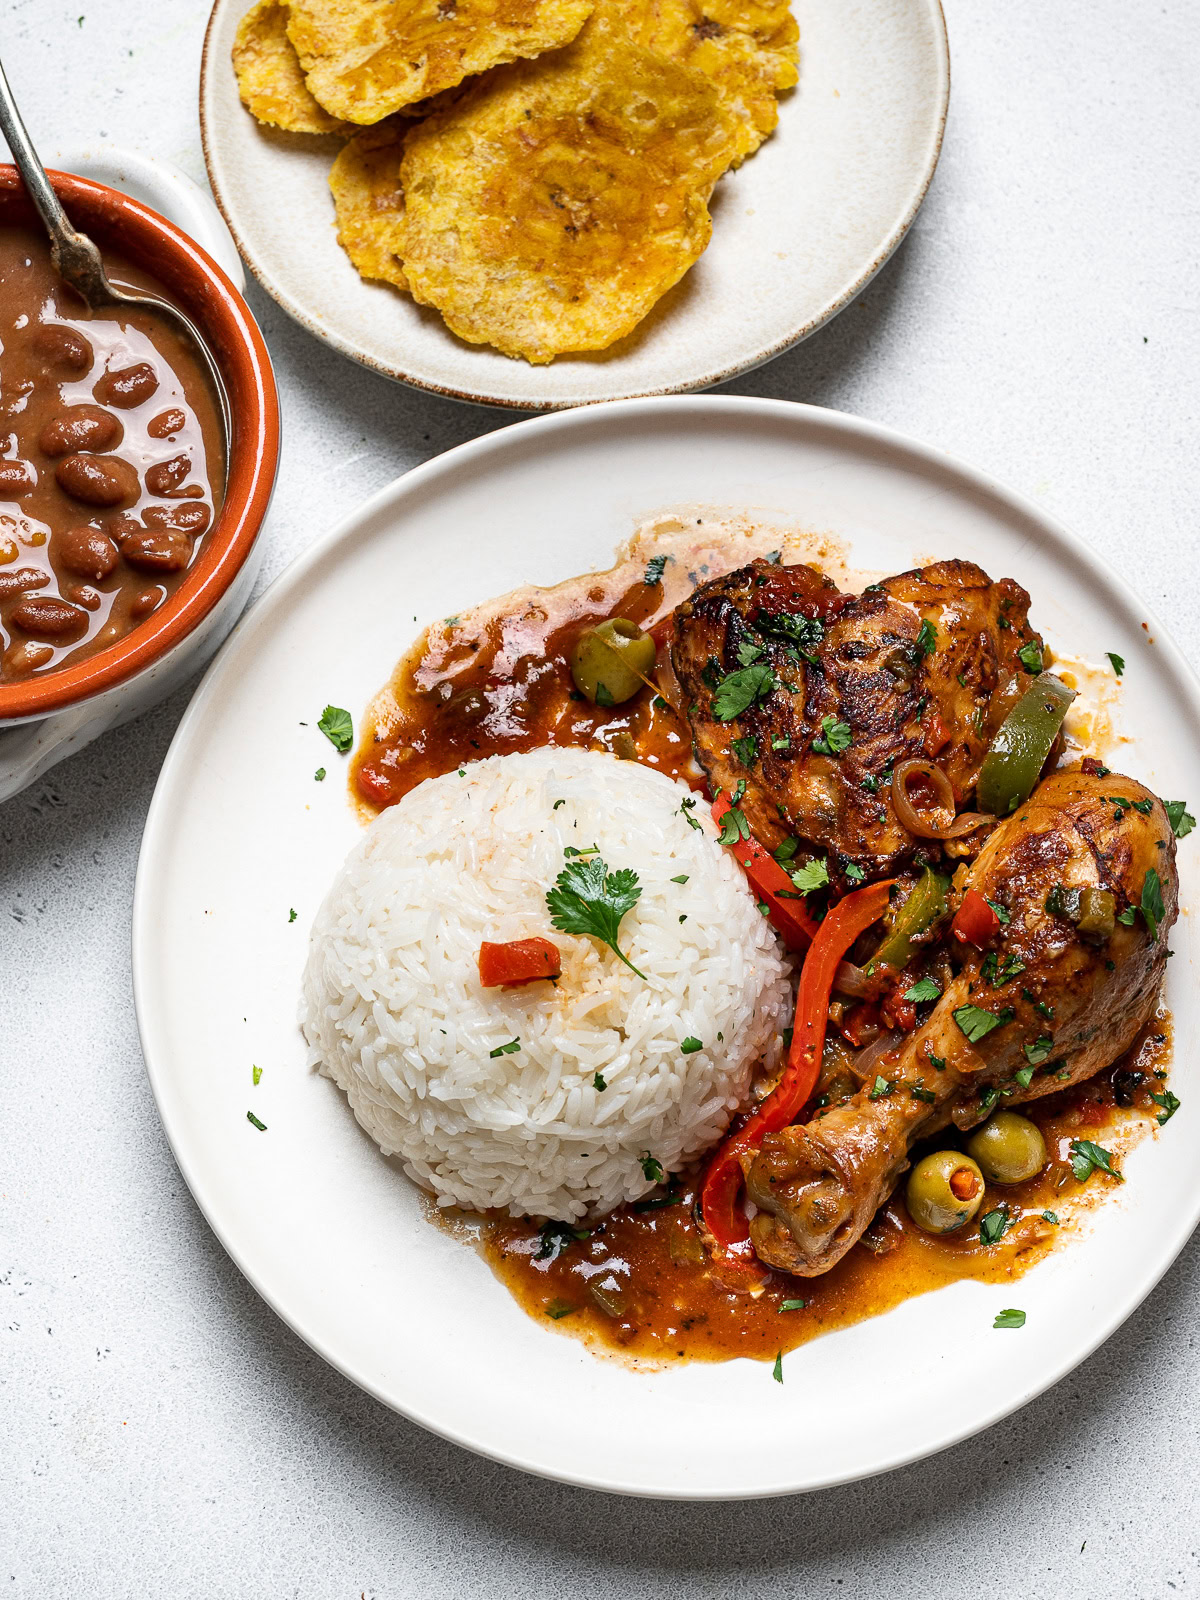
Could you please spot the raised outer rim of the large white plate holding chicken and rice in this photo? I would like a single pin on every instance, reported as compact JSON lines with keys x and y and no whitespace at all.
{"x":842,"y":425}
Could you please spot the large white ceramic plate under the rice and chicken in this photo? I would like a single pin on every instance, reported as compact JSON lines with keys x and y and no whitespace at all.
{"x":239,"y":834}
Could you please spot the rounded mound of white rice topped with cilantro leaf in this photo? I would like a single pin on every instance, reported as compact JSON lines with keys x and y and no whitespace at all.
{"x":396,"y":1015}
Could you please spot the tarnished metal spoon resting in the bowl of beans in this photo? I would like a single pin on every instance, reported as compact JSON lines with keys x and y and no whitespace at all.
{"x":78,"y":262}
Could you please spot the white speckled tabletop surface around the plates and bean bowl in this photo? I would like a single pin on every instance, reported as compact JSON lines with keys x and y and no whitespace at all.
{"x":161,"y":1431}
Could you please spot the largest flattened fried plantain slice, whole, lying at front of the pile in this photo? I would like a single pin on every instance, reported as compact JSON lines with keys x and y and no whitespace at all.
{"x":561,"y":199}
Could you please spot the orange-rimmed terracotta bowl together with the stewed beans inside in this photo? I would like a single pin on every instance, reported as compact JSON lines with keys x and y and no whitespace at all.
{"x":127,"y":529}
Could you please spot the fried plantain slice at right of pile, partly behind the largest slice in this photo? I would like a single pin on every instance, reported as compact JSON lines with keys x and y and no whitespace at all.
{"x":750,"y":49}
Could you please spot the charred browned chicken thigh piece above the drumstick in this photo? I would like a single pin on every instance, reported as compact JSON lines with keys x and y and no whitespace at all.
{"x":866,"y":662}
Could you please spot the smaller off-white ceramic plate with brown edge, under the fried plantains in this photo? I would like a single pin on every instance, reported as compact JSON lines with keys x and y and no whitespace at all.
{"x":798,"y":231}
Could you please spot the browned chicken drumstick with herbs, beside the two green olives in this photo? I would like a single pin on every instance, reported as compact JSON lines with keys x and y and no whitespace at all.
{"x":1073,"y":1007}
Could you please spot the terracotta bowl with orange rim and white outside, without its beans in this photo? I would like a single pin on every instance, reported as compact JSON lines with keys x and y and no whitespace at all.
{"x":62,"y":711}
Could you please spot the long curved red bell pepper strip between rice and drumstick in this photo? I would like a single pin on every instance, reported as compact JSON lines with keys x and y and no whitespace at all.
{"x":726,"y":1222}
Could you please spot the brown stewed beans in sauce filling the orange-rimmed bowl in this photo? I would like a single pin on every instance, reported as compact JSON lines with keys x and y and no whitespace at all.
{"x":113,"y":457}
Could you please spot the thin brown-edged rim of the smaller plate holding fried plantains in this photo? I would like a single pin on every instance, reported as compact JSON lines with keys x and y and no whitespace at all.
{"x":806,"y":330}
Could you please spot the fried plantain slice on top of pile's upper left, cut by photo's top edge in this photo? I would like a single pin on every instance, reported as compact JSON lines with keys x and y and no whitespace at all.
{"x":369,"y":58}
